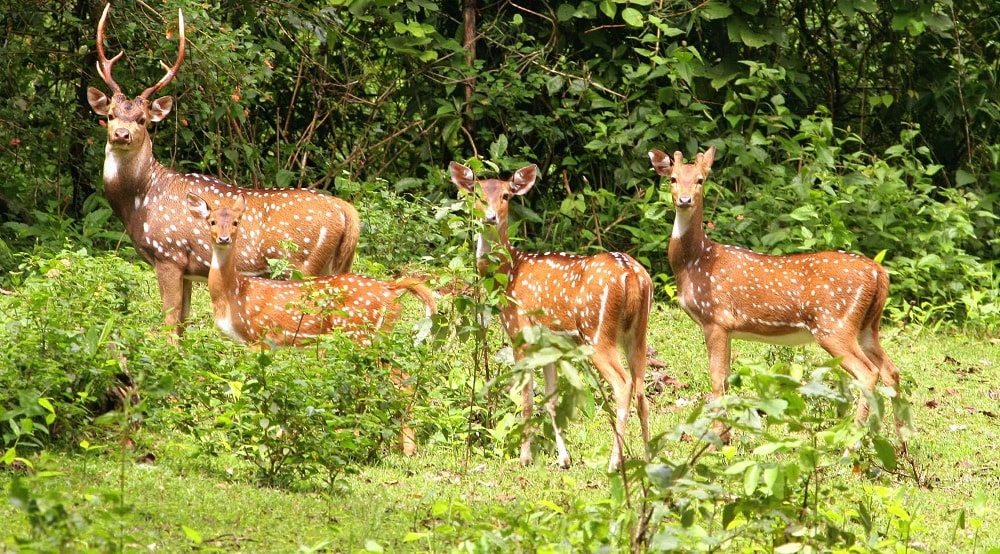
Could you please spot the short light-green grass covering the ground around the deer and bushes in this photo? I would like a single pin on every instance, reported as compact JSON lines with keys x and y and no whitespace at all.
{"x":182,"y":500}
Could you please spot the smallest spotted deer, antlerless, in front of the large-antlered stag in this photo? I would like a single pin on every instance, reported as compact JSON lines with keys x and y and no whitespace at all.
{"x":290,"y":313}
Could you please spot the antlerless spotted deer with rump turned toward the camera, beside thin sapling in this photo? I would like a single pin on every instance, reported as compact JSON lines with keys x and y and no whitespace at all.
{"x":601,"y":300}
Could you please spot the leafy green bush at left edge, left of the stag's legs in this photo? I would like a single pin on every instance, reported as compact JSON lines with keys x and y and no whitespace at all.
{"x":70,"y":327}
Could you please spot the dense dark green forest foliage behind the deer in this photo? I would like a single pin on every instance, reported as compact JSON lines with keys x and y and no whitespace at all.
{"x":862,"y":124}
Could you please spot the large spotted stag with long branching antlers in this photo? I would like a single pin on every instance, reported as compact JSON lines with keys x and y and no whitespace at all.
{"x":150,"y":199}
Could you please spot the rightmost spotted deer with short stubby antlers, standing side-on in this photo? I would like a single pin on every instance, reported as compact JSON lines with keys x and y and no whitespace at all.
{"x":832,"y":298}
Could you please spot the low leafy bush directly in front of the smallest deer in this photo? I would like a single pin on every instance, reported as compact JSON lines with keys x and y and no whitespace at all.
{"x":304,"y":417}
